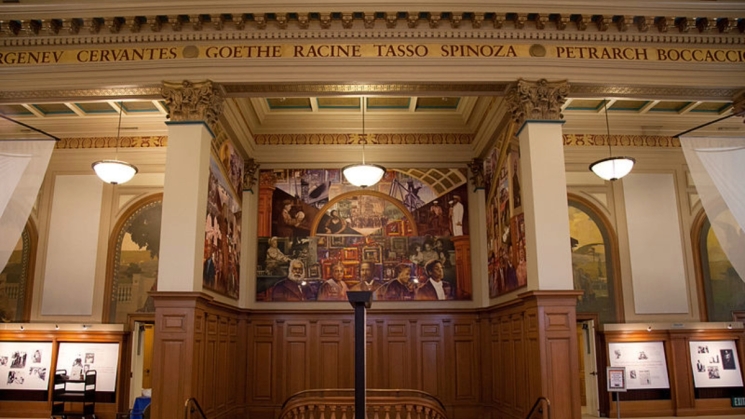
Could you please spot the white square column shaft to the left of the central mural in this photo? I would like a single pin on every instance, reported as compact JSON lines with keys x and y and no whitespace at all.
{"x":184,"y":207}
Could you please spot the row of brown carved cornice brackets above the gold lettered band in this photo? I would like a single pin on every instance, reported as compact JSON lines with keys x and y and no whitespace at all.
{"x":553,"y":20}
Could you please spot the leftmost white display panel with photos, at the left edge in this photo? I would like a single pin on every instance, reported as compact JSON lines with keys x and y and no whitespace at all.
{"x":25,"y":365}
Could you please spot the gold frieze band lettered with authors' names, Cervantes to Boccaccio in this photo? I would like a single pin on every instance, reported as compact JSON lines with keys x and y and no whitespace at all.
{"x":374,"y":50}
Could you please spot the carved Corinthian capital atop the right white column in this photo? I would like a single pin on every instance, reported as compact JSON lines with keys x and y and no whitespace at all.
{"x":537,"y":100}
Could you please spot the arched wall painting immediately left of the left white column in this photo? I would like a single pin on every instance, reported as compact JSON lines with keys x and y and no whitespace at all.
{"x":136,"y":262}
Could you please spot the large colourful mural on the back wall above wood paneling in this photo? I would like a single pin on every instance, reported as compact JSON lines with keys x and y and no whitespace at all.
{"x":324,"y":236}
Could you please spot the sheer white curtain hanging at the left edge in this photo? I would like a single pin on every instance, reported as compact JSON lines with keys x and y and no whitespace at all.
{"x":23,"y":164}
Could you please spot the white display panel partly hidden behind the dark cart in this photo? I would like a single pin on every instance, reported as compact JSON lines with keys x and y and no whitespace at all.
{"x":78,"y":358}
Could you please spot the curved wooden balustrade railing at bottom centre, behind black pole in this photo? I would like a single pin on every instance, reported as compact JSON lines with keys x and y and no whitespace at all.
{"x":381,"y":404}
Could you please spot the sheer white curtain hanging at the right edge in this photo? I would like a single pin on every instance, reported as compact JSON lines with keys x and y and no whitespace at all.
{"x":718,"y":169}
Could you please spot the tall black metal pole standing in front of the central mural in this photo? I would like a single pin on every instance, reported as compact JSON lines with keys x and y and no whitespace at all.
{"x":360,"y":300}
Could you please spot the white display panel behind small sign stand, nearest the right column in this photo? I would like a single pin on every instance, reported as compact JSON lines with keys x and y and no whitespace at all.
{"x":645,"y":364}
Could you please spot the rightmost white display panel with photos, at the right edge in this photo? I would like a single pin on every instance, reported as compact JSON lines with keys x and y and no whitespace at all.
{"x":715,"y":364}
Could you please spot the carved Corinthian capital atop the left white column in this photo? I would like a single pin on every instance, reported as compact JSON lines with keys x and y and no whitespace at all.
{"x":187,"y":101}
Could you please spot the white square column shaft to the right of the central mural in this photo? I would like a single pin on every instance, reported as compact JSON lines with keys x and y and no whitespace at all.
{"x":548,"y":246}
